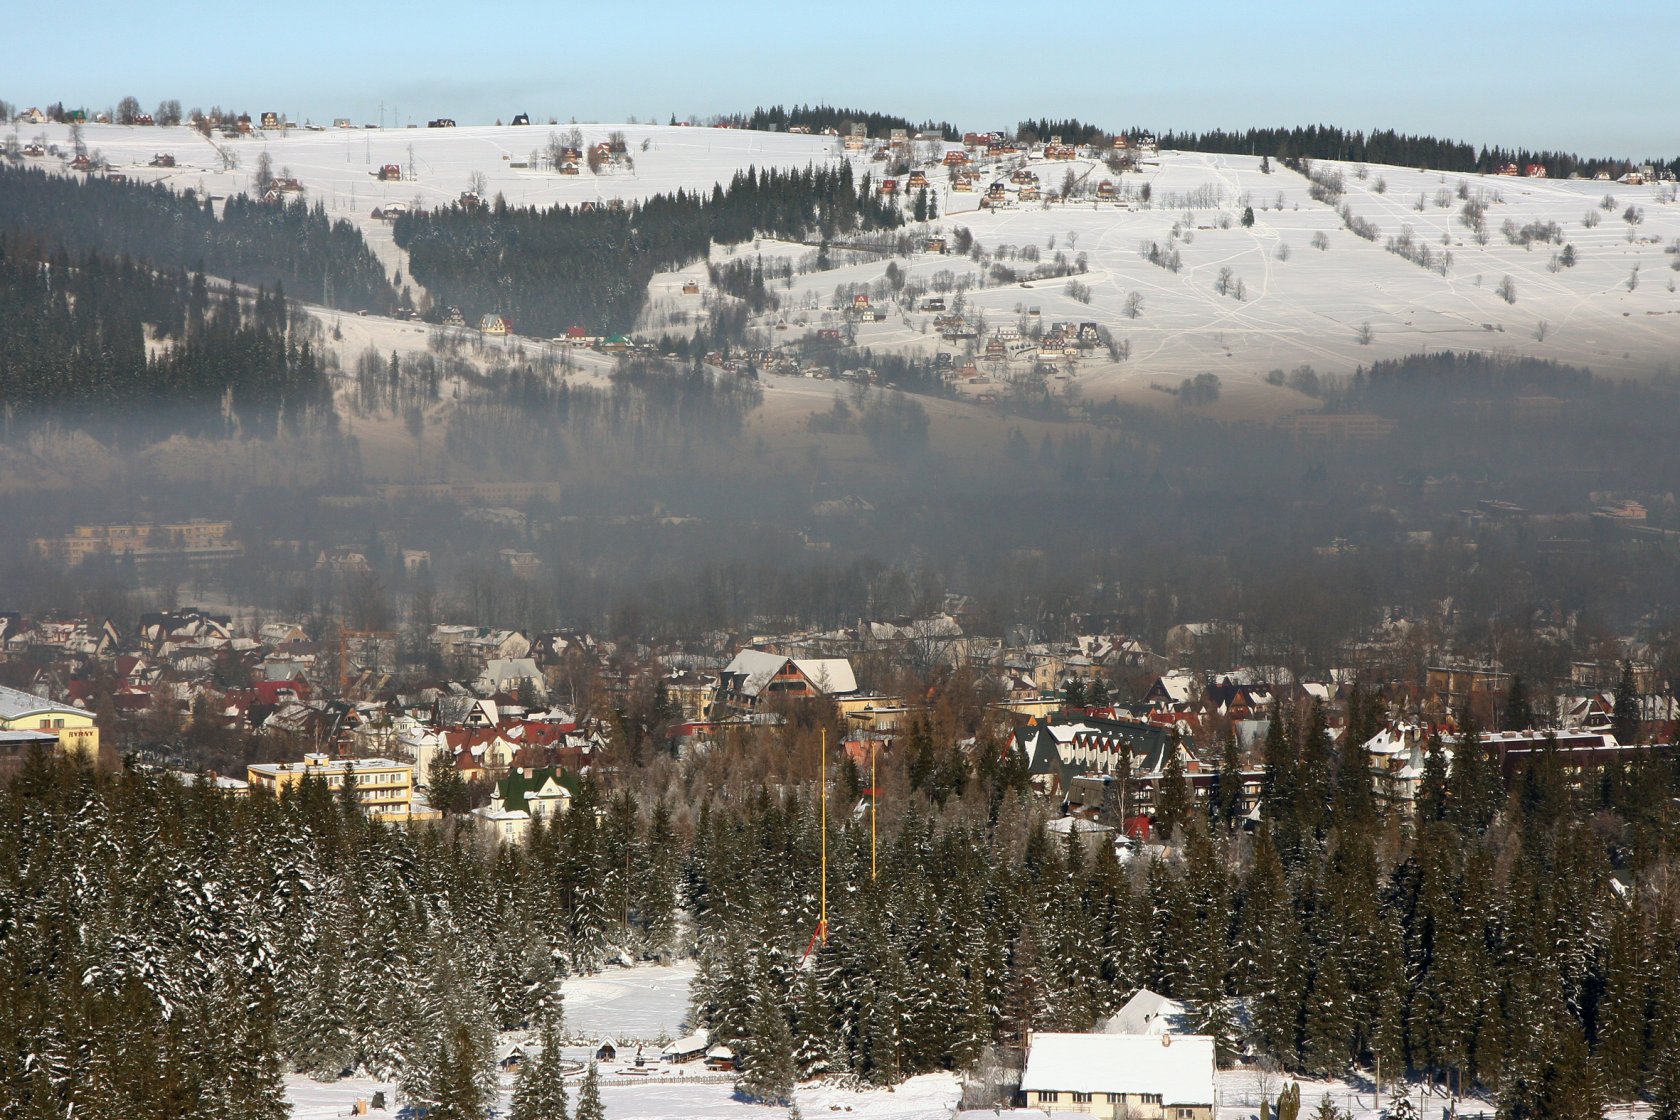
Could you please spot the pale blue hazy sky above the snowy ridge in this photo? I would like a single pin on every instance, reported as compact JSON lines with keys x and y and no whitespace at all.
{"x":1592,"y":76}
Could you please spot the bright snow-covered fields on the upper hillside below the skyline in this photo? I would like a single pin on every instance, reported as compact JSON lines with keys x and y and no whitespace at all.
{"x":1335,"y":308}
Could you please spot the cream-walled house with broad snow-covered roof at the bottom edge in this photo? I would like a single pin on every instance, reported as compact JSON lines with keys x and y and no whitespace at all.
{"x":1137,"y":1077}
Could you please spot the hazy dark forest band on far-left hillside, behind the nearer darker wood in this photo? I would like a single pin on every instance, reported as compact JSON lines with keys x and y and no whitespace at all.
{"x":293,"y":246}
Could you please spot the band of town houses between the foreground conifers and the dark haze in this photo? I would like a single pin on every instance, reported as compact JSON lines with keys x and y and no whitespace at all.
{"x":1098,"y":721}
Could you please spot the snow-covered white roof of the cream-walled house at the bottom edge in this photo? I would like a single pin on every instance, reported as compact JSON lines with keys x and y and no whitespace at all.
{"x":1179,"y":1067}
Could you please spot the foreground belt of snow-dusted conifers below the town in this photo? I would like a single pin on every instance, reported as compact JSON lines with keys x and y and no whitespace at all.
{"x":171,"y":953}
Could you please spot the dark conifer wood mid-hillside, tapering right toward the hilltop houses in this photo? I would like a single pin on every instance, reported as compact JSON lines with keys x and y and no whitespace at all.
{"x":560,"y":268}
